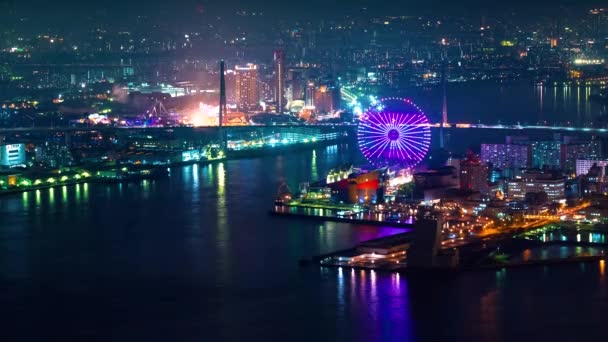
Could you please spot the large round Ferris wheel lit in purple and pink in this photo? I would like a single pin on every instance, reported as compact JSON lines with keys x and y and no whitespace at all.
{"x":396,"y":132}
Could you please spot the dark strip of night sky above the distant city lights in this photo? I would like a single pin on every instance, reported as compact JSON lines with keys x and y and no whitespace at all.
{"x":282,"y":6}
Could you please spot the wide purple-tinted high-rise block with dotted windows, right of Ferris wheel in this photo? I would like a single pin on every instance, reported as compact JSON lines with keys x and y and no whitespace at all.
{"x":506,"y":156}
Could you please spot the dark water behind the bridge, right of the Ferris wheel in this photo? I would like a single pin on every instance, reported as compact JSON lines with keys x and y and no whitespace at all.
{"x":510,"y":103}
